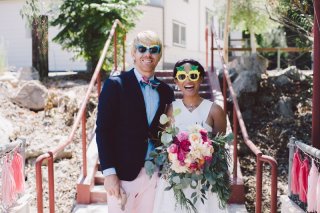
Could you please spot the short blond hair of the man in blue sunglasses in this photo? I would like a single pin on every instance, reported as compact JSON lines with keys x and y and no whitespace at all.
{"x":146,"y":37}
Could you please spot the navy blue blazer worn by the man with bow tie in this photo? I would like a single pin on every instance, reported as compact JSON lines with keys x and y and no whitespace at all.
{"x":122,"y":127}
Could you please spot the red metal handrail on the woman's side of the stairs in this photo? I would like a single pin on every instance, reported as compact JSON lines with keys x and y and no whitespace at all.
{"x":239,"y":122}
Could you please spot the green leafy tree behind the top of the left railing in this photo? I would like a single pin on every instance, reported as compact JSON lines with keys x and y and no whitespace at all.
{"x":86,"y":24}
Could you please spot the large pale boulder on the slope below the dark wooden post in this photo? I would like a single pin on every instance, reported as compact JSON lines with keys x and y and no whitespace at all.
{"x":31,"y":95}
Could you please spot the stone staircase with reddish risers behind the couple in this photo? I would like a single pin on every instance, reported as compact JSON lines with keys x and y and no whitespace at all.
{"x":91,"y":196}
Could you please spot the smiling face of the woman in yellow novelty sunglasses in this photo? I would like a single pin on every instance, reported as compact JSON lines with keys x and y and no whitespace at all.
{"x":189,"y":87}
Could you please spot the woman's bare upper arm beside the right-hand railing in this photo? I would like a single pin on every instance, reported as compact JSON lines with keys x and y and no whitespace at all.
{"x":218,"y":117}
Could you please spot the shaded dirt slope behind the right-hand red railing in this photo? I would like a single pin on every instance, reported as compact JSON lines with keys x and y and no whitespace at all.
{"x":271,"y":133}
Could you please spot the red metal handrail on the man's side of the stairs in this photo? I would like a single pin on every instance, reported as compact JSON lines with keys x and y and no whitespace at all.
{"x":96,"y":78}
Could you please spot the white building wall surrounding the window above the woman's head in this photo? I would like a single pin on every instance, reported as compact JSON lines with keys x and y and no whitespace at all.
{"x":192,"y":14}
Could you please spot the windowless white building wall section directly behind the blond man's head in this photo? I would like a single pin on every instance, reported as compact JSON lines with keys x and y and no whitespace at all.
{"x":151,"y":19}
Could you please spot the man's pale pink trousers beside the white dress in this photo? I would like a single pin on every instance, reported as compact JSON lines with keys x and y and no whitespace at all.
{"x":141,"y":194}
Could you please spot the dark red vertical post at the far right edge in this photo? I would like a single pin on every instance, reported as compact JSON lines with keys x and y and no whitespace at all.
{"x":316,"y":79}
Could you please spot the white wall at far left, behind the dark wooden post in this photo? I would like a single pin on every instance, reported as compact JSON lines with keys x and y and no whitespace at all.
{"x":18,"y":44}
